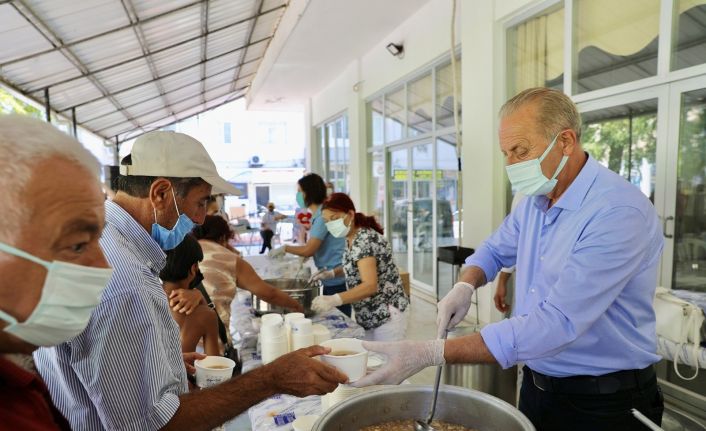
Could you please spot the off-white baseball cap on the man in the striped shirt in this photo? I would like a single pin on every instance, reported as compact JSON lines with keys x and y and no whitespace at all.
{"x":172,"y":154}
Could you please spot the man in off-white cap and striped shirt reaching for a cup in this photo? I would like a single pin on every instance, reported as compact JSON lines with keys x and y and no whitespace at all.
{"x":126,"y":370}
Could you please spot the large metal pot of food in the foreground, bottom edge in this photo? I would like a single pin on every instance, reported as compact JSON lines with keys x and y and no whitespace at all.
{"x":461,"y":406}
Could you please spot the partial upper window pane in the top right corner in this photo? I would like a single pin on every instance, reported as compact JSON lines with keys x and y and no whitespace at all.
{"x":689,"y":33}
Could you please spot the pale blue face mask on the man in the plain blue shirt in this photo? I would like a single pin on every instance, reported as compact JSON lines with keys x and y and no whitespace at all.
{"x":527,"y":177}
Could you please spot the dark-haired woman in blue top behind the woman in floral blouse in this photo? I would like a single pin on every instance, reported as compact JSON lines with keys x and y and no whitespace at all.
{"x":326,"y":249}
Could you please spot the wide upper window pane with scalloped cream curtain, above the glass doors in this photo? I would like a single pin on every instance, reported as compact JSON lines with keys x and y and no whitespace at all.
{"x":614,"y":43}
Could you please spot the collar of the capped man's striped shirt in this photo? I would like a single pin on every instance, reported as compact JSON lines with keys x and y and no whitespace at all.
{"x":138,"y":238}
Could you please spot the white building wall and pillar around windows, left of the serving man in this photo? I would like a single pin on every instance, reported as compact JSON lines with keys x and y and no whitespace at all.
{"x":426,"y":38}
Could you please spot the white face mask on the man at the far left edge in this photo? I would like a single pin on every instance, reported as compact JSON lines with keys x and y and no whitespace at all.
{"x":69,"y":295}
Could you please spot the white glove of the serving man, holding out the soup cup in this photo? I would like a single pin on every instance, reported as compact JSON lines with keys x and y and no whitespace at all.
{"x":404,"y":359}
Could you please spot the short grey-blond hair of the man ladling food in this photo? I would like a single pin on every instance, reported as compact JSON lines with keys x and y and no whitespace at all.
{"x":555,"y":110}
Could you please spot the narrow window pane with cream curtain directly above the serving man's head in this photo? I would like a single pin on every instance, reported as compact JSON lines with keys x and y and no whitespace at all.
{"x":536,"y":52}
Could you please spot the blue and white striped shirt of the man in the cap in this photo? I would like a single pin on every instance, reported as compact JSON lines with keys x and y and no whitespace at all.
{"x":125,"y":370}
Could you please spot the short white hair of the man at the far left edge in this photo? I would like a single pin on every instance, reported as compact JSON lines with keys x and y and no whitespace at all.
{"x":24,"y":143}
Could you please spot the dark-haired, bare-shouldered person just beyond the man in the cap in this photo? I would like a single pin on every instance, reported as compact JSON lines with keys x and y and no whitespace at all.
{"x":181,"y":273}
